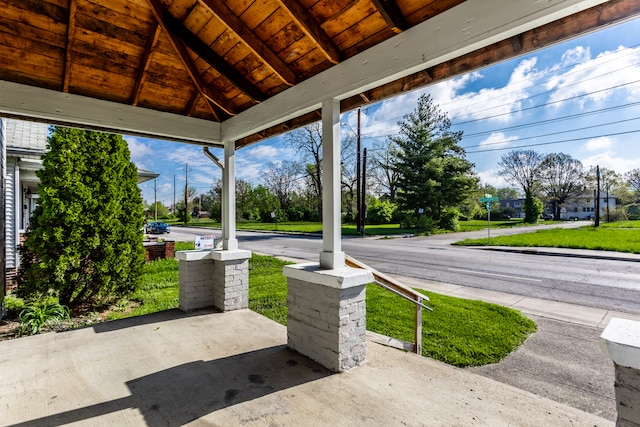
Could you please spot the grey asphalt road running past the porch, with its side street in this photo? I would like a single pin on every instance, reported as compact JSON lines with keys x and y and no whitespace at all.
{"x":602,"y":283}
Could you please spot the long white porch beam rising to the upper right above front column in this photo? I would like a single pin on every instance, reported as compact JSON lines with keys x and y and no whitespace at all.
{"x":469,"y":26}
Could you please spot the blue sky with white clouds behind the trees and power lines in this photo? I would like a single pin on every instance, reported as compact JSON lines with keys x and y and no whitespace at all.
{"x":581,"y":97}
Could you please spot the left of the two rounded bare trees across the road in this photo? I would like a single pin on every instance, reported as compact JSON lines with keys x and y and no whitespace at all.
{"x":522,"y":168}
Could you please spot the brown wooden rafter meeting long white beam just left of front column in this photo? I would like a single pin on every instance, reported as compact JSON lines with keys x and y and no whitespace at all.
{"x":256,"y":45}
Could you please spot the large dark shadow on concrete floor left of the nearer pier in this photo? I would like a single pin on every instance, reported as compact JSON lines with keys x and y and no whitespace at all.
{"x":184,"y":393}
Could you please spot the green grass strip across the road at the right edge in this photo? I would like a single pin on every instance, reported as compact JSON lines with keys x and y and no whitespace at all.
{"x":623,"y":237}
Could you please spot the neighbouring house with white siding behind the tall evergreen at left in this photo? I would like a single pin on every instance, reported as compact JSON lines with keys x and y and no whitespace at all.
{"x":24,"y":144}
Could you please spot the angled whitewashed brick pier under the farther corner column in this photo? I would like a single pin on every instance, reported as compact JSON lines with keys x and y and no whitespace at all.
{"x":217,"y":279}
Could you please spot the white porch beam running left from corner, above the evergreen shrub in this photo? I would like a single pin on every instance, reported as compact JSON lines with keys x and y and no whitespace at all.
{"x":27,"y":102}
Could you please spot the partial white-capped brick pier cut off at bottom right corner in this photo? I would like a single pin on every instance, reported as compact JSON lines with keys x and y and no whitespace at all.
{"x":620,"y":340}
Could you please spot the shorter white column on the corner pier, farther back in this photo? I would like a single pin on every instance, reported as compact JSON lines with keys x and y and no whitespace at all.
{"x":229,"y":240}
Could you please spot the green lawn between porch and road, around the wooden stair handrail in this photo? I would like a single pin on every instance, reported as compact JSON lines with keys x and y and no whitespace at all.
{"x":458,"y":331}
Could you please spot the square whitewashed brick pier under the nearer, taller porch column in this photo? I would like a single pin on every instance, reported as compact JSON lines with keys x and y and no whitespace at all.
{"x":326,"y":318}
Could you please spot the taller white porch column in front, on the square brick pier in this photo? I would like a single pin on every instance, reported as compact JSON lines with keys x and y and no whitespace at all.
{"x":331,"y":257}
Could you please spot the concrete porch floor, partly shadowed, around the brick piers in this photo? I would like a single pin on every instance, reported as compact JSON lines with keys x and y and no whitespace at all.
{"x":234,"y":368}
